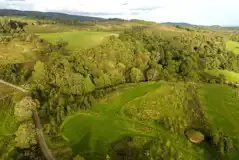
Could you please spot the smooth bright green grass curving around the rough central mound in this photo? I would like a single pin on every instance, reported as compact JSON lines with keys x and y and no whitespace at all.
{"x":92,"y":132}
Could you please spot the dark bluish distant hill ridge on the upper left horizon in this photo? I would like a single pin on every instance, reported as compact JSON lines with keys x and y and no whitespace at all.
{"x":11,"y":12}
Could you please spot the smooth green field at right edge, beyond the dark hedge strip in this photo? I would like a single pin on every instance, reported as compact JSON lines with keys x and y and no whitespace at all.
{"x":220,"y":103}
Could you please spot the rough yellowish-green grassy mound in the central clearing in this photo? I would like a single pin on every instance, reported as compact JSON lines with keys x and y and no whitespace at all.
{"x":164,"y":101}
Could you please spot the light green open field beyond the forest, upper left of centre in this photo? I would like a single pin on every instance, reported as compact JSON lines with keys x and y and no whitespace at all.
{"x":78,"y":40}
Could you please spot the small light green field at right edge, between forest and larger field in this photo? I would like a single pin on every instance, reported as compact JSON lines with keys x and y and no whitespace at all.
{"x":229,"y":75}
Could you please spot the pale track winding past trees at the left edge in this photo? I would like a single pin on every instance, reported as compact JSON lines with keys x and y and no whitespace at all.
{"x":40,"y":136}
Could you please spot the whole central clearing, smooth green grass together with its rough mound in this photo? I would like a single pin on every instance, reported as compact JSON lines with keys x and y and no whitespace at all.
{"x":91,"y":133}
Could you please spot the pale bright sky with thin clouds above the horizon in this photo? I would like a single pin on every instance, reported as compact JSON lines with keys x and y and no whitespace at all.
{"x":200,"y":12}
